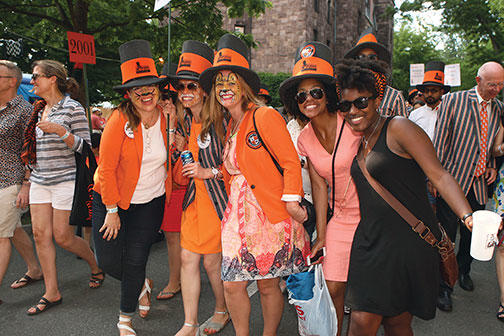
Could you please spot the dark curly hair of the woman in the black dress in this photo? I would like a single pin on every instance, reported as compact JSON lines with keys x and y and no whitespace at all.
{"x":361,"y":75}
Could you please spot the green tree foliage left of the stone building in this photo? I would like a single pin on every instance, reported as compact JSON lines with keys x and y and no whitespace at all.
{"x":42,"y":25}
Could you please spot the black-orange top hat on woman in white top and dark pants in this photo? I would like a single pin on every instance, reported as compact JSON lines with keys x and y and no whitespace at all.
{"x":137,"y":66}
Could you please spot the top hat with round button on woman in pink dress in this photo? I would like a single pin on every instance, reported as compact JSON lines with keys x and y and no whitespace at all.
{"x":312,"y":60}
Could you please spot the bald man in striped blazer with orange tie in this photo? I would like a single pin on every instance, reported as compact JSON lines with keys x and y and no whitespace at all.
{"x":466,"y":126}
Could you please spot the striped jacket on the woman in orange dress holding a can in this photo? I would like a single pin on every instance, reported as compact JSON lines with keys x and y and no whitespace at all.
{"x":208,"y":157}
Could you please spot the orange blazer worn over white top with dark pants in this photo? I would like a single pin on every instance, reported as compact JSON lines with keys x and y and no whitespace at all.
{"x":120,"y":160}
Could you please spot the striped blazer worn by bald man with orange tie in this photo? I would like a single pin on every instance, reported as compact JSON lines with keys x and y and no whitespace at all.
{"x":457,"y":139}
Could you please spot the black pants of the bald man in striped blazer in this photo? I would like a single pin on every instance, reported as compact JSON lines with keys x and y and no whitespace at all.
{"x":451,"y":222}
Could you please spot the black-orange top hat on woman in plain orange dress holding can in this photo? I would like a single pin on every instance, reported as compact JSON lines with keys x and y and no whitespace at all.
{"x":196,"y":57}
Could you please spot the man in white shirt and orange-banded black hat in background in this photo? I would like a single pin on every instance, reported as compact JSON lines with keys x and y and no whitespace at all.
{"x":433,"y":89}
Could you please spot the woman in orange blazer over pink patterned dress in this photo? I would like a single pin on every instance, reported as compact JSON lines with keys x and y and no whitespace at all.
{"x":262,"y":235}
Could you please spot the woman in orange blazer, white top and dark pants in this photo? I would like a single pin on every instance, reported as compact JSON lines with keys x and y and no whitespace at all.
{"x":132,"y":181}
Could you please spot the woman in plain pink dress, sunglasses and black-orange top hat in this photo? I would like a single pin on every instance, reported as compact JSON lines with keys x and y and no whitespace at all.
{"x":311,"y":94}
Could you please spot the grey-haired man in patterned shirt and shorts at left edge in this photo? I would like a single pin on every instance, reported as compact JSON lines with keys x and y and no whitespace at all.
{"x":14,"y":185}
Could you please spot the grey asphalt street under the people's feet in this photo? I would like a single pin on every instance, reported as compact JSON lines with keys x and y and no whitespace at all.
{"x":94,"y":311}
